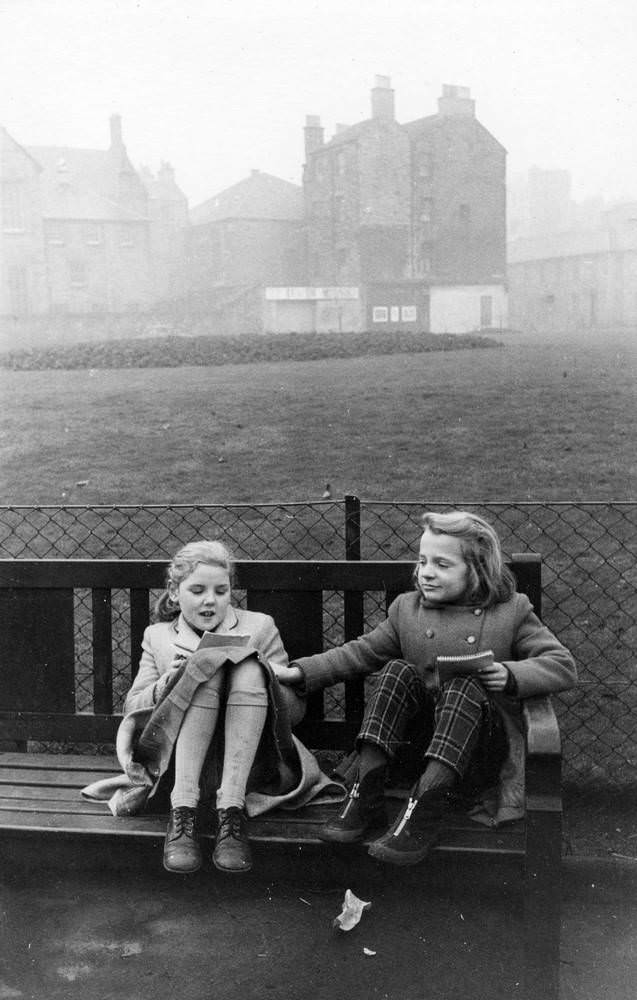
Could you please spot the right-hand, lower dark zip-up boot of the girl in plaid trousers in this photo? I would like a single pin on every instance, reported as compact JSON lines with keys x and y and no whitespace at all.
{"x":416,"y":829}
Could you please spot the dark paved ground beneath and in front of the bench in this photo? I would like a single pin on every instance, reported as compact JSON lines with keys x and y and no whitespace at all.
{"x":451,"y":932}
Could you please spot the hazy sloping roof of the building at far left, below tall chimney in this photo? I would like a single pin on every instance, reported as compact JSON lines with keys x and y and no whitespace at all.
{"x":82,"y":184}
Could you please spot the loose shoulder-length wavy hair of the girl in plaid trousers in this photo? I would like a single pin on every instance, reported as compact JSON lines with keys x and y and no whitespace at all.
{"x":490,"y":581}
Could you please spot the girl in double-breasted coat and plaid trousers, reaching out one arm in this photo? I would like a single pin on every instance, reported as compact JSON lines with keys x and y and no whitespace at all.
{"x":464,"y":602}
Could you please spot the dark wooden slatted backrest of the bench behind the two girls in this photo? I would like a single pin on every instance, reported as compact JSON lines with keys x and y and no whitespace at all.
{"x":37,"y":662}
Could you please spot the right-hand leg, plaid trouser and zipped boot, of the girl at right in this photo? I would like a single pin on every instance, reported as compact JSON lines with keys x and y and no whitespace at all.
{"x":458,"y":716}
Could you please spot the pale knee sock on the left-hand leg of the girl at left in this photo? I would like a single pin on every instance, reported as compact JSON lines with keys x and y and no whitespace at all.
{"x":197,"y":730}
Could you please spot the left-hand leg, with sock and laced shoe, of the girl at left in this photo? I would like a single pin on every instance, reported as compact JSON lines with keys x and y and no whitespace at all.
{"x":181,"y":847}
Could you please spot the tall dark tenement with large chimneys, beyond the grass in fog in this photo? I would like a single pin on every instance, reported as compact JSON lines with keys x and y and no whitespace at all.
{"x":412,"y":214}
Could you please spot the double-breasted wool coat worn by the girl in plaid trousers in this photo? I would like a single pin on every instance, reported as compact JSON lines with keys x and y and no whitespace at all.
{"x":418,"y":633}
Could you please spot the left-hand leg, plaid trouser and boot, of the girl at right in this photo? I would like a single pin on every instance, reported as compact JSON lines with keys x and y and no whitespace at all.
{"x":397,"y":698}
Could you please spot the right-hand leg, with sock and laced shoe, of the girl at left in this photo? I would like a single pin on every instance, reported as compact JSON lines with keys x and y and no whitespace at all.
{"x":246,"y":714}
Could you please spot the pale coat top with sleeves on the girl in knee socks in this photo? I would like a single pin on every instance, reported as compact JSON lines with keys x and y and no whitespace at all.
{"x":165,"y":639}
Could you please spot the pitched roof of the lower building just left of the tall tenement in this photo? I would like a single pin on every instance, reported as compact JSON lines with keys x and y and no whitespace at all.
{"x":259,"y":196}
